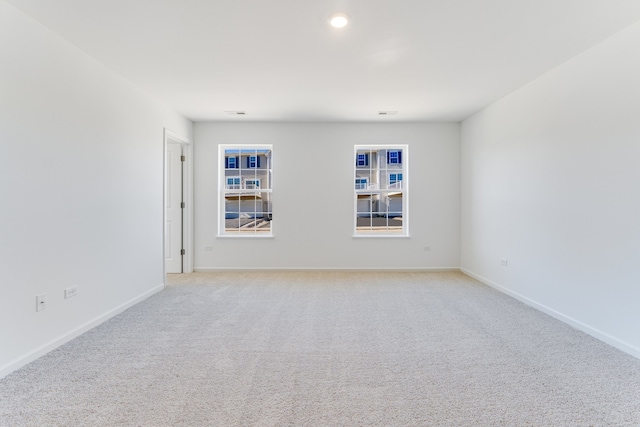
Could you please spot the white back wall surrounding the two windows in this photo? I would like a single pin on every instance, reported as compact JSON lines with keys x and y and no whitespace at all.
{"x":302,"y":153}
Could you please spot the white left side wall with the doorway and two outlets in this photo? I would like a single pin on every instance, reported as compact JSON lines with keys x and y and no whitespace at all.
{"x":81,"y":189}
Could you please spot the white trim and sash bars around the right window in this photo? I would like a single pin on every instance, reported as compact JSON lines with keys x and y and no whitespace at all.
{"x":405,"y":189}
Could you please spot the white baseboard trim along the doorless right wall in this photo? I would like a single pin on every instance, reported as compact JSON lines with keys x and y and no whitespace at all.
{"x":594,"y":332}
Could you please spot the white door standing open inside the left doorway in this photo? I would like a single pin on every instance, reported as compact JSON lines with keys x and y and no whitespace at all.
{"x":173,"y":207}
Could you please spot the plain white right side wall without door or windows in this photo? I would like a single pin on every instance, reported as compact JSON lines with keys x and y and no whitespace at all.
{"x":551,"y":182}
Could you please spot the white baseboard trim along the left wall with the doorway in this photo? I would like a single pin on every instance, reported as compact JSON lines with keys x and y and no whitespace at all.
{"x":65,"y":338}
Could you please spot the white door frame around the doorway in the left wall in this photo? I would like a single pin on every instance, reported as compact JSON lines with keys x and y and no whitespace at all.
{"x":187,"y":197}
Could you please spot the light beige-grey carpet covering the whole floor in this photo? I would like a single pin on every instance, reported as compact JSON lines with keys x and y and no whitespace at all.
{"x":327,"y":349}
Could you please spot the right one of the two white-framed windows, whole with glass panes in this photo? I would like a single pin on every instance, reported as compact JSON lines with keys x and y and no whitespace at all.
{"x":381,"y":191}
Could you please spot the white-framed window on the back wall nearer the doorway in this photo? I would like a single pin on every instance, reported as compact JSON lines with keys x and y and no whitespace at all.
{"x":245,"y":207}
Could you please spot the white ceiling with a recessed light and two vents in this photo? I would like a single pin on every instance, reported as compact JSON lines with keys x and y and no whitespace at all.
{"x":430,"y":60}
